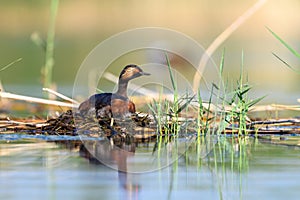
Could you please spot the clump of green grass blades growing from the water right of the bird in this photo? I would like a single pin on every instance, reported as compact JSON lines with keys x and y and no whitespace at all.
{"x":223,"y":110}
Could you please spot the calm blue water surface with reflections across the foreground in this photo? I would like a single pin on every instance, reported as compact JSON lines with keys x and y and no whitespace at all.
{"x":46,"y":169}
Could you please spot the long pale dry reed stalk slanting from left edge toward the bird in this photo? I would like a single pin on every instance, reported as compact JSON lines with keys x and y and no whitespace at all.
{"x":37,"y":100}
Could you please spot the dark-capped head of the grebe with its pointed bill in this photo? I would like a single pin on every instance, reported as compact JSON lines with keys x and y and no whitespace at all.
{"x":131,"y":72}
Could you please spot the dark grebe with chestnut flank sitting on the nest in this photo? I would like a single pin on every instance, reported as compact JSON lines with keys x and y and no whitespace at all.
{"x":116,"y":103}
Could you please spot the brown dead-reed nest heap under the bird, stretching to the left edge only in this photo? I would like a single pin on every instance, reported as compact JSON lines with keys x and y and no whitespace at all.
{"x":70,"y":123}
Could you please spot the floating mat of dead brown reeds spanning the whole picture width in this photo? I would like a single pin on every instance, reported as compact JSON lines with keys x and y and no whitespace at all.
{"x":138,"y":125}
